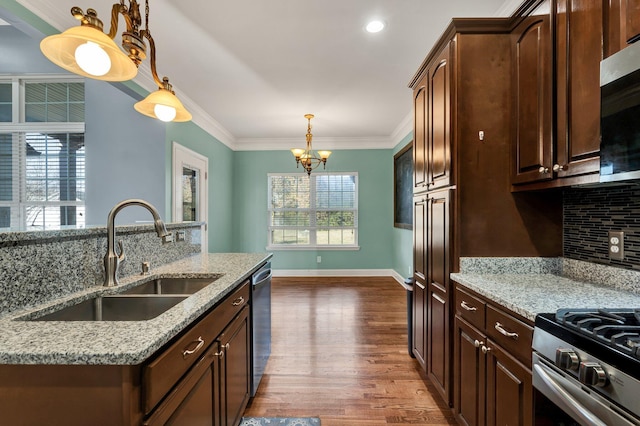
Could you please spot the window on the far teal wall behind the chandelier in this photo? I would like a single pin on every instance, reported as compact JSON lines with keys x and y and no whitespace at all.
{"x":317,"y":211}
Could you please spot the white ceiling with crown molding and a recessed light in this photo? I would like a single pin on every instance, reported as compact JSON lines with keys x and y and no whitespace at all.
{"x":249,"y":70}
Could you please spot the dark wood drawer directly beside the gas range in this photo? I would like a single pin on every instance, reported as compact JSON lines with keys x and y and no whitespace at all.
{"x":512,"y":334}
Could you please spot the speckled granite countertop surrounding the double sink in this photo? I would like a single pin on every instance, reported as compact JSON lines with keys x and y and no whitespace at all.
{"x":121,"y":342}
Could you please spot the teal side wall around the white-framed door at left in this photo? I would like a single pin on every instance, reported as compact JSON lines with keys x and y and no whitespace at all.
{"x":221,"y":185}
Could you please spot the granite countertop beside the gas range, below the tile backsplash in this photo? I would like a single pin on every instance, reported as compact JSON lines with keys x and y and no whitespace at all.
{"x":533,"y":293}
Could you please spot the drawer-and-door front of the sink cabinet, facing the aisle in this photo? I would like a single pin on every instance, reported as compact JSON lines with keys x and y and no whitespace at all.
{"x":216,"y":389}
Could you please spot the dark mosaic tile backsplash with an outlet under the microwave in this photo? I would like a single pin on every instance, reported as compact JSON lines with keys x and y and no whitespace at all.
{"x":590,"y":213}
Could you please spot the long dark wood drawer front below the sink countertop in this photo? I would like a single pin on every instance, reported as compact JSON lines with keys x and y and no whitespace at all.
{"x":161,"y":374}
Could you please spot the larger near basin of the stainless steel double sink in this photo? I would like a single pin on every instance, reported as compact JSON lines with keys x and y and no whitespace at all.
{"x":115,"y":308}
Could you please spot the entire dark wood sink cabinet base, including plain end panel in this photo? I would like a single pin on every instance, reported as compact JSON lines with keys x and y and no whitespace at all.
{"x":202,"y":377}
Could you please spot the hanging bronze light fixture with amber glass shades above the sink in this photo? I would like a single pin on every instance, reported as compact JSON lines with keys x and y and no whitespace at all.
{"x":87,"y":51}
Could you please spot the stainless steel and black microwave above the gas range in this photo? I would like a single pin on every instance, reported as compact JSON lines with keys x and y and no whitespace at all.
{"x":620,"y":115}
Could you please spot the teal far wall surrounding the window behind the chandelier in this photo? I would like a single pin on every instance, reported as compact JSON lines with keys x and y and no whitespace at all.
{"x":375,"y":208}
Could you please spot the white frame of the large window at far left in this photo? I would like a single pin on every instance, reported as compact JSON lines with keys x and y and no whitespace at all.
{"x":18,"y":128}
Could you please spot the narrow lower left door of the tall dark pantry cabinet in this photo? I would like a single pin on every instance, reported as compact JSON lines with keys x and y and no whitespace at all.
{"x":419,"y":311}
